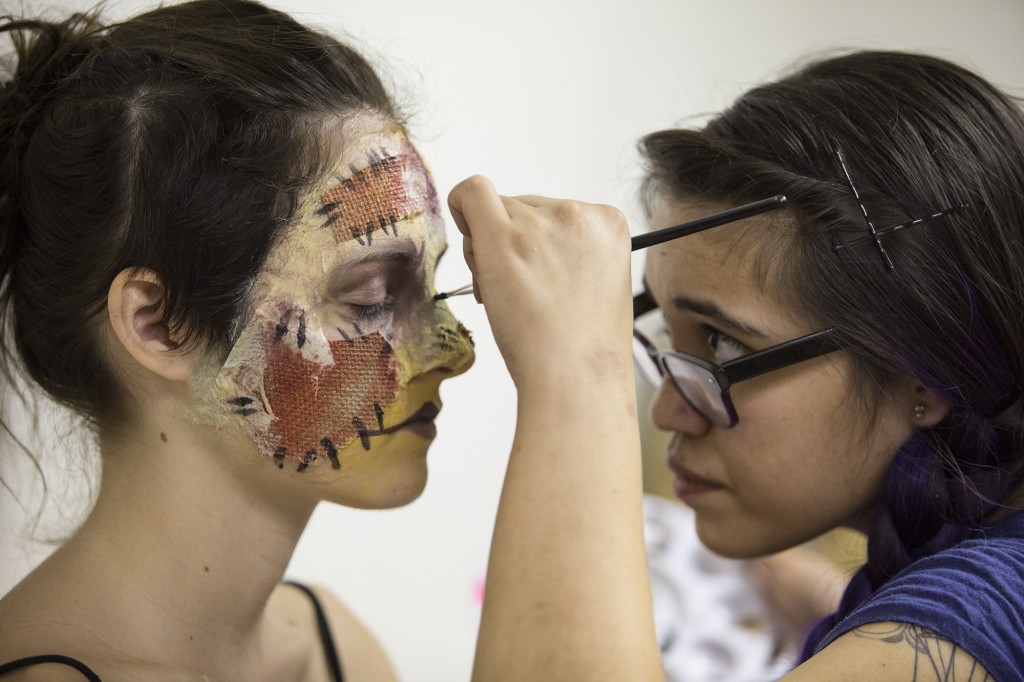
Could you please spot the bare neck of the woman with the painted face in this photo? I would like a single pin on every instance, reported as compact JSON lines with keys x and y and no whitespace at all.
{"x":187,"y":542}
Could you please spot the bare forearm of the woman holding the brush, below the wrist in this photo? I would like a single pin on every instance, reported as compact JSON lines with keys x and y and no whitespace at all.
{"x":568,"y":594}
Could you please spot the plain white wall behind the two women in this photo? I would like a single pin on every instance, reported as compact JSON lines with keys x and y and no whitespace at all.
{"x":544,"y":98}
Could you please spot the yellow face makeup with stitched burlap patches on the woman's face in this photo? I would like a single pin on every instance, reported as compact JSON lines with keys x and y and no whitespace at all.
{"x":331,"y":364}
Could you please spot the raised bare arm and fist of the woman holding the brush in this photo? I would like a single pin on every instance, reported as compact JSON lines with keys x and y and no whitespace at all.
{"x":568,"y":594}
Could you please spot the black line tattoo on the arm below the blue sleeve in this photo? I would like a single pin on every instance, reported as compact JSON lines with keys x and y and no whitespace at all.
{"x":935,"y":658}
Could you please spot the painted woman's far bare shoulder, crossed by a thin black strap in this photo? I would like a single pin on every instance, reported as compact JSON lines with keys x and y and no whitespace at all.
{"x":363,"y":658}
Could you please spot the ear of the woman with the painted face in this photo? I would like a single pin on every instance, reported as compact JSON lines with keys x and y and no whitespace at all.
{"x":136,"y":307}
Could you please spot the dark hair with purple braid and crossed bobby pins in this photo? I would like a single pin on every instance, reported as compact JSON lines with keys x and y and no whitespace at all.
{"x":920,"y":135}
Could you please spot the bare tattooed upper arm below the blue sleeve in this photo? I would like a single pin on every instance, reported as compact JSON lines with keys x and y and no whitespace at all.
{"x":891,"y":652}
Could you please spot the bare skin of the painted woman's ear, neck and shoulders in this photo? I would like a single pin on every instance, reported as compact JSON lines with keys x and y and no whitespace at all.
{"x":160,"y":593}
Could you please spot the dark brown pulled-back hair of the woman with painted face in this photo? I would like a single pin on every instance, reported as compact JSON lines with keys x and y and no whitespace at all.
{"x":179,"y":141}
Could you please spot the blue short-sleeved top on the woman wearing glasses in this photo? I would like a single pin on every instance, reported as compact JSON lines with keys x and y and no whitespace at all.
{"x":971,"y":594}
